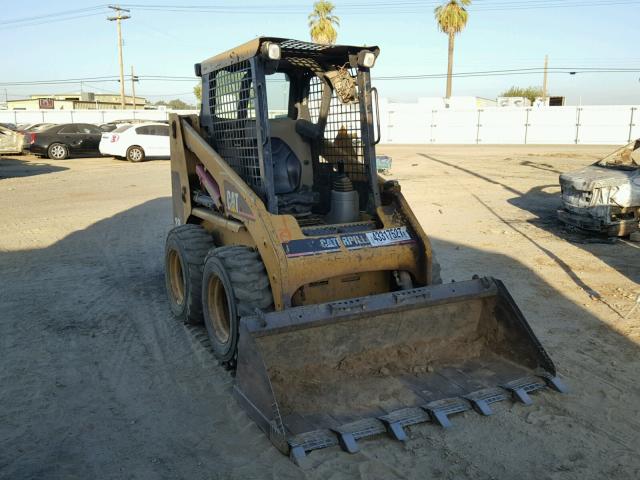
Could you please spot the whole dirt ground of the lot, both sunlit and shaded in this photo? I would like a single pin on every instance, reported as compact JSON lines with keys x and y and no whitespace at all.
{"x":97,"y":380}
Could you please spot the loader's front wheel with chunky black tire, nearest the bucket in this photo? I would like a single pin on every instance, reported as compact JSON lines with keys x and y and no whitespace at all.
{"x":240,"y":271}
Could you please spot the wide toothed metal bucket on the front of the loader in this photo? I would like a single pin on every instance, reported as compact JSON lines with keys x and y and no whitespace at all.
{"x":330,"y":374}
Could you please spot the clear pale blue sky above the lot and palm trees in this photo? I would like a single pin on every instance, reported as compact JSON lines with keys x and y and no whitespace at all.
{"x":500,"y":35}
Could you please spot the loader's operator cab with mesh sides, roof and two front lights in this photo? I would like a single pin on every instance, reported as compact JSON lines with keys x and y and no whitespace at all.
{"x":295,"y":121}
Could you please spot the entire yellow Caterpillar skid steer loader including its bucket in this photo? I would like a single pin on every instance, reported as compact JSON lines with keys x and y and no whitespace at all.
{"x":314,"y":279}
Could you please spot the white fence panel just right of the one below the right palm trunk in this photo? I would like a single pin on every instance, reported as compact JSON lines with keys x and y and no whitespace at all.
{"x":502,"y":125}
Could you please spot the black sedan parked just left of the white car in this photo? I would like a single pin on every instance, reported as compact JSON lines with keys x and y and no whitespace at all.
{"x":66,"y":140}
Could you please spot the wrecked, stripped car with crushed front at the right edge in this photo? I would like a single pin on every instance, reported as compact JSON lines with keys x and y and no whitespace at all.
{"x":604,"y":197}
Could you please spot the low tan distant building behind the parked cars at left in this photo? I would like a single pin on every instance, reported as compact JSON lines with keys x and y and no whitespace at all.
{"x":76,"y":101}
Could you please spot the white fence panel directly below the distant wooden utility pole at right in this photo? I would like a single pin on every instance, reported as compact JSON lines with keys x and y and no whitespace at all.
{"x":552,"y":125}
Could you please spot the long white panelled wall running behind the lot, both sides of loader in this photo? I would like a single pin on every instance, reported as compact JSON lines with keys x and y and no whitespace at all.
{"x":424,"y":122}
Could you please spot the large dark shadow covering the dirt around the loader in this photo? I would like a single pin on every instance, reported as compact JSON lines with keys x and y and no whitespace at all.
{"x":99,"y":381}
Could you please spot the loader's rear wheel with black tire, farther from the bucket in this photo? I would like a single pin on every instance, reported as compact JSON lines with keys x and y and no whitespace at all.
{"x":188,"y":245}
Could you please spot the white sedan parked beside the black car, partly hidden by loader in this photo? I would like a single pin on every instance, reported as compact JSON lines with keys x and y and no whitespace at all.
{"x":137,"y":142}
